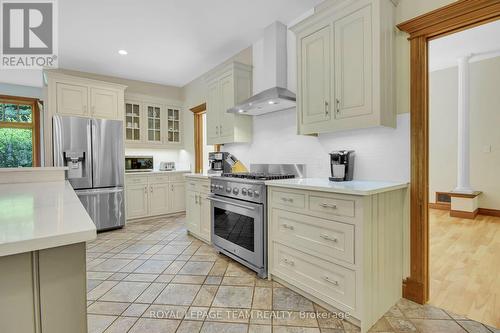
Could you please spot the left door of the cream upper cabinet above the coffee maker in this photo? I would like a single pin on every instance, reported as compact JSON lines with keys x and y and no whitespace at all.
{"x":315,"y":73}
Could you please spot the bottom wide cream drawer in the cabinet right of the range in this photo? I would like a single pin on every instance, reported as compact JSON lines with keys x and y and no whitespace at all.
{"x":329,"y":282}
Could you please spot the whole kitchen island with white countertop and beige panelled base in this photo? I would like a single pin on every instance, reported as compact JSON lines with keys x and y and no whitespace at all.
{"x":43,"y":230}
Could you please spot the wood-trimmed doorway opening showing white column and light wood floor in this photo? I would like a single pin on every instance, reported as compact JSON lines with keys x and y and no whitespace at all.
{"x":464,"y":183}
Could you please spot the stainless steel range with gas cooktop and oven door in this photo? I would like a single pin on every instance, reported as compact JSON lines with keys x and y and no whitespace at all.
{"x":239,"y":213}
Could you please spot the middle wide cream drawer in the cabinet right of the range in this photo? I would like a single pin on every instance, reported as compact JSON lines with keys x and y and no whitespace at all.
{"x":325,"y":238}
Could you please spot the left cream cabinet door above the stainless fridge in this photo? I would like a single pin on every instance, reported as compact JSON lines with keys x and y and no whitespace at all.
{"x":72,"y":99}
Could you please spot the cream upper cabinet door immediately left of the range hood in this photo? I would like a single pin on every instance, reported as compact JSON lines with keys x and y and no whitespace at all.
{"x":226,"y":120}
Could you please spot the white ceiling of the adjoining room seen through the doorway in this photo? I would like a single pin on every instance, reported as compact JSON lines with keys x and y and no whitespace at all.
{"x":481,"y":42}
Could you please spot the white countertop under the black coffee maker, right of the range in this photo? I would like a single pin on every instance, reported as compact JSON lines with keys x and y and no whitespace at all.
{"x":355,"y":187}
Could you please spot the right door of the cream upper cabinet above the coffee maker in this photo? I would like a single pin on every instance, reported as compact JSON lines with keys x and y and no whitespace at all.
{"x":353,"y":64}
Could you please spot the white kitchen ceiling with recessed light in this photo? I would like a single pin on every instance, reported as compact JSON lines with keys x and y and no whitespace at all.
{"x":168,"y":41}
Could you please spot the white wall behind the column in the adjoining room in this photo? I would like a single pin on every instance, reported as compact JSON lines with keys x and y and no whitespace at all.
{"x":484,"y":131}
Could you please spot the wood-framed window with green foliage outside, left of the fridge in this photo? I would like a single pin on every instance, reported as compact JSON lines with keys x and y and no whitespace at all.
{"x":19,"y":132}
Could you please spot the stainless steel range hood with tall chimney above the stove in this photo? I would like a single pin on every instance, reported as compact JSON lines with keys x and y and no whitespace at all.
{"x":273,"y":75}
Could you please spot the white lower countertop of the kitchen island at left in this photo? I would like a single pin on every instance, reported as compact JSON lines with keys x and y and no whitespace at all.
{"x":35,"y":216}
